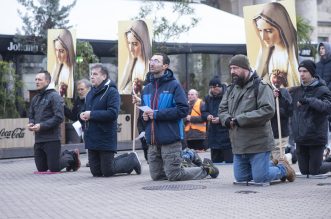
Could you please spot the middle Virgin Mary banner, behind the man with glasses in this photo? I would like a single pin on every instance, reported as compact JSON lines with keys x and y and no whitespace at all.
{"x":134,"y":52}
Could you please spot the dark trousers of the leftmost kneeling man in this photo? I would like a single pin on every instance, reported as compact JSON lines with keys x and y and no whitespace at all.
{"x":47,"y":156}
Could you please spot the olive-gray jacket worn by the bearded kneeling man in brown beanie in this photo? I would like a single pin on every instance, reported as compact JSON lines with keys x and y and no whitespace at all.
{"x":253,"y":114}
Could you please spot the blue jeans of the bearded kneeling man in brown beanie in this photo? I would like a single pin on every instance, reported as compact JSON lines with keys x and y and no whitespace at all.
{"x":256,"y":167}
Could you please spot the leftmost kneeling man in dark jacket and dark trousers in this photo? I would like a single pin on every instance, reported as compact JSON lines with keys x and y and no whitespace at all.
{"x":45,"y":117}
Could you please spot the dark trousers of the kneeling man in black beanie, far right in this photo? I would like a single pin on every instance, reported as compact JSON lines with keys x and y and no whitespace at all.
{"x":310,"y":158}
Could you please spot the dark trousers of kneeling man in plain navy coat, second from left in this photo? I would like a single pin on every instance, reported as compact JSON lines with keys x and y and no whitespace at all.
{"x":103,"y":163}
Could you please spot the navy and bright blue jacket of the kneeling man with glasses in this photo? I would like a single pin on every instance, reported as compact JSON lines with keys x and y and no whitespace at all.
{"x":168,"y":100}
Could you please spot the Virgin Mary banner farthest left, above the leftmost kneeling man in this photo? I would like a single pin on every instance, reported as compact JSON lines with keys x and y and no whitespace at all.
{"x":61,"y":57}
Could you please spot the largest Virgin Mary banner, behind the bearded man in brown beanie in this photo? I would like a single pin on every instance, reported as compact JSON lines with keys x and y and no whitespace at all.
{"x":272,"y":41}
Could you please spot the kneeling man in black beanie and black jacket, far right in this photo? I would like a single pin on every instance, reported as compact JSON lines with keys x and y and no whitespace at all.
{"x":311,"y":107}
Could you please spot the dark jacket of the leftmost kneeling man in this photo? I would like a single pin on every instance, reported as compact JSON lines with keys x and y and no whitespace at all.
{"x":46,"y":108}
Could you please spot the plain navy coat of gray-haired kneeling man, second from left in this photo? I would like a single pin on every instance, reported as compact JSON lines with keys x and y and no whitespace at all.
{"x":100,"y":132}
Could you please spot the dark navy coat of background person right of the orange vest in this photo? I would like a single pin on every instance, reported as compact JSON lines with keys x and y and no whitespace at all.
{"x":217,"y":135}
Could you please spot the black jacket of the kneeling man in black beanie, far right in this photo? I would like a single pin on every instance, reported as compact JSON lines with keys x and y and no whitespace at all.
{"x":309,"y":121}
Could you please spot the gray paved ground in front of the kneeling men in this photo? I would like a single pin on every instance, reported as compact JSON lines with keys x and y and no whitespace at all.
{"x":24,"y":194}
